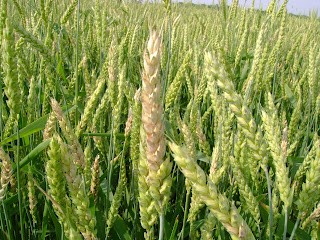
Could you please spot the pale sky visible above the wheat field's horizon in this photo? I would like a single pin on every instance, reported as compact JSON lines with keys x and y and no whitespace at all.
{"x":294,"y":6}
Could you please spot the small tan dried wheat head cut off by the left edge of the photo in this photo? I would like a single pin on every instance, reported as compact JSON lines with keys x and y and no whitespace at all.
{"x":6,"y":171}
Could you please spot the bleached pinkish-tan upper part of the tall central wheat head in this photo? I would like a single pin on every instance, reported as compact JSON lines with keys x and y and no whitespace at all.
{"x":151,"y":104}
